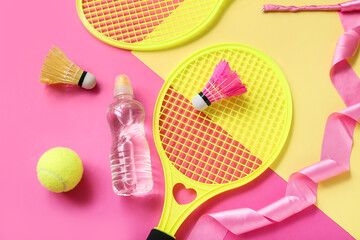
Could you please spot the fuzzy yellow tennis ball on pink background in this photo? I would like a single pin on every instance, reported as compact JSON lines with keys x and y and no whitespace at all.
{"x":59,"y":169}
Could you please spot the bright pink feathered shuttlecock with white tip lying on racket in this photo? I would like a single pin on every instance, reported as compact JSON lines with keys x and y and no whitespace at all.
{"x":223,"y":83}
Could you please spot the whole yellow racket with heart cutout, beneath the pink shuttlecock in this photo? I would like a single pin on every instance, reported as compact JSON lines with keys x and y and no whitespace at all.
{"x":230,"y":143}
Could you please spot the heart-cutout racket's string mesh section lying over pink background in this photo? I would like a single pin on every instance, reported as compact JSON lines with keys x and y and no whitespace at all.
{"x":197,"y":147}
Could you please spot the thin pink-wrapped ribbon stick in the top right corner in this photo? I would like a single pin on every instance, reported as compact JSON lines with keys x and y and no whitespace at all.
{"x":342,"y":7}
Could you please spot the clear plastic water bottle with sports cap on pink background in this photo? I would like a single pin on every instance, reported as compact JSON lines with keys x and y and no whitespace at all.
{"x":130,"y":155}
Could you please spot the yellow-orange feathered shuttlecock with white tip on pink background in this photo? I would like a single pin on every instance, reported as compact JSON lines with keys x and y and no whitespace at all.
{"x":57,"y":68}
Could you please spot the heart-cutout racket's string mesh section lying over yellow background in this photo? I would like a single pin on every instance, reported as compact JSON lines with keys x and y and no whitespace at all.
{"x":256,"y":119}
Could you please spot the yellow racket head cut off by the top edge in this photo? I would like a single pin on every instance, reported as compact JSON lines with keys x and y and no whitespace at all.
{"x":146,"y":24}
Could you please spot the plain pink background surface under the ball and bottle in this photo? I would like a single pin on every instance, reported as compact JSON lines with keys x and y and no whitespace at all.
{"x":35,"y":117}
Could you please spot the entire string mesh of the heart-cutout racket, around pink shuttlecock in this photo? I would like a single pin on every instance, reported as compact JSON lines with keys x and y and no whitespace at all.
{"x":234,"y":137}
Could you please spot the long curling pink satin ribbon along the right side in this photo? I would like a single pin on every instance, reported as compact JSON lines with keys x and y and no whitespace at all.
{"x":335,"y":155}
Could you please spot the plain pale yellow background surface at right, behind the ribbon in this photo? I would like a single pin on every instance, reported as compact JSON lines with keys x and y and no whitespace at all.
{"x":302,"y":44}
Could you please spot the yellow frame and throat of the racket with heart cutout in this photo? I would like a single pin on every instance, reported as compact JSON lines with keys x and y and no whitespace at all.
{"x":173,"y":213}
